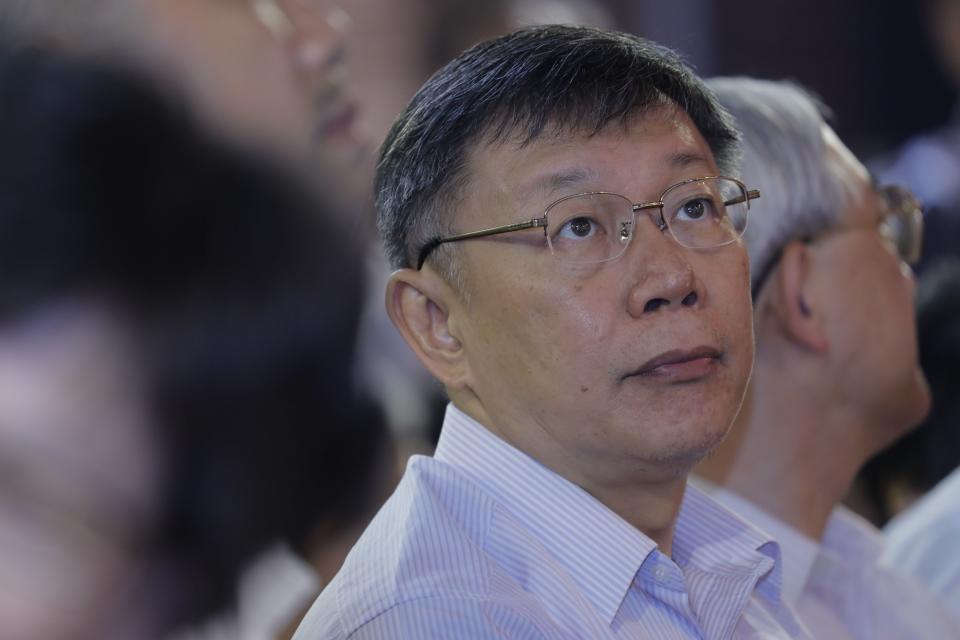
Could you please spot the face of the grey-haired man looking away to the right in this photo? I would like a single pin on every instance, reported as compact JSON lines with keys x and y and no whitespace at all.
{"x":870,"y":316}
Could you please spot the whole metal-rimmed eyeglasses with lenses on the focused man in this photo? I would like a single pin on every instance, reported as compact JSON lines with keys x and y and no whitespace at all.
{"x":595,"y":227}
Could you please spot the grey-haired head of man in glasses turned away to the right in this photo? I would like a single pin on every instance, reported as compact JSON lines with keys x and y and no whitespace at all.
{"x":828,"y":249}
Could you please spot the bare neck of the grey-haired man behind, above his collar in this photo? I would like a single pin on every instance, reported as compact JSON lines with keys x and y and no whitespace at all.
{"x":792,"y":451}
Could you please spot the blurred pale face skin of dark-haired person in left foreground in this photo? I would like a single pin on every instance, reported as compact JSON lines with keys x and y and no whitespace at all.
{"x":81,"y":477}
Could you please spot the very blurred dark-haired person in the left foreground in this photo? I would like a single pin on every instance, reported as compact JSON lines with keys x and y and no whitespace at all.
{"x":175,"y":361}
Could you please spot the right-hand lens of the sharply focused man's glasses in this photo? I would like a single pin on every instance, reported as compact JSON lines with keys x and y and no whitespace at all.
{"x":706,"y":213}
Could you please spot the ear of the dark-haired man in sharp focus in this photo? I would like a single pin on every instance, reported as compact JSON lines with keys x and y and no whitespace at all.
{"x":420,"y":304}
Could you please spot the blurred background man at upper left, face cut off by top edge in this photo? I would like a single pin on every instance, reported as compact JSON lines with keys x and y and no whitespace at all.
{"x":268,"y":74}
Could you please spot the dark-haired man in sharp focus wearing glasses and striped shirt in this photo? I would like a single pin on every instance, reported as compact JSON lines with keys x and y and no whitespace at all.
{"x":593,"y":350}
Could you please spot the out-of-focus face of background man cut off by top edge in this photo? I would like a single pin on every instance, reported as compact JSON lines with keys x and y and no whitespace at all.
{"x":264,"y":70}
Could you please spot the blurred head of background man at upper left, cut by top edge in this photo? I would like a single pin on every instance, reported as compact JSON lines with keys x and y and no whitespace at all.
{"x":267,"y":71}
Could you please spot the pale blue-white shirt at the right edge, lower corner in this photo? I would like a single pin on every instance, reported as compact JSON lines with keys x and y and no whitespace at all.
{"x":924,"y":541}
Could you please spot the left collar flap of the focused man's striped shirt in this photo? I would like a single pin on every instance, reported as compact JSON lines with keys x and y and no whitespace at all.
{"x":552,"y":508}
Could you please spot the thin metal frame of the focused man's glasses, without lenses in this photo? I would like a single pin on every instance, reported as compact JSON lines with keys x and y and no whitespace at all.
{"x":533,"y":223}
